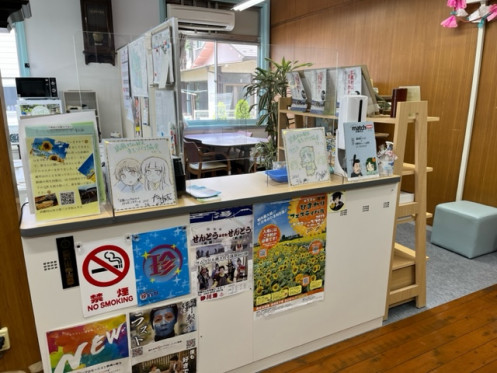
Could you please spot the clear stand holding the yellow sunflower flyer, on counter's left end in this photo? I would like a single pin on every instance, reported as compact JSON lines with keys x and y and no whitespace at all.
{"x":62,"y":165}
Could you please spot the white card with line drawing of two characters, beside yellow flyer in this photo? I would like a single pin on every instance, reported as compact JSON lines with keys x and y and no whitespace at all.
{"x":140,"y":173}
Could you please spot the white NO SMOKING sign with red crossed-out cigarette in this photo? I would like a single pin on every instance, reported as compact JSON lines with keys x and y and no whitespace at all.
{"x":105,"y":270}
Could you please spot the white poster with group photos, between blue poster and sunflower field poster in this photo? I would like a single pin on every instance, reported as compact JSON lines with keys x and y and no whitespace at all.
{"x":222,"y":241}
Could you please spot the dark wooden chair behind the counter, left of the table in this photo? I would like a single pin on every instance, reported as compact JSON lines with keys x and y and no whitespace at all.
{"x":199,"y":162}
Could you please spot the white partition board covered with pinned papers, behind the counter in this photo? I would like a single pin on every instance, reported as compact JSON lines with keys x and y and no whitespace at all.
{"x":151,"y":85}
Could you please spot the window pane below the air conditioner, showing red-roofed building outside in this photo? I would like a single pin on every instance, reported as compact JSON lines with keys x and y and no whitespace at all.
{"x":213,"y":76}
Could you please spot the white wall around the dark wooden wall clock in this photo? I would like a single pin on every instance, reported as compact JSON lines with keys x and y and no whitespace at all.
{"x":55,"y":45}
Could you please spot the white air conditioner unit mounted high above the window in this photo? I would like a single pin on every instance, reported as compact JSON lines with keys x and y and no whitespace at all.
{"x":202,"y":19}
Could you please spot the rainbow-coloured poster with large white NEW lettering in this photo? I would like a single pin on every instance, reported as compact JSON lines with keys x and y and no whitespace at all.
{"x":99,"y":346}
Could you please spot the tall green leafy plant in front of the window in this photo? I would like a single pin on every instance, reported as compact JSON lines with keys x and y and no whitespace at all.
{"x":268,"y":85}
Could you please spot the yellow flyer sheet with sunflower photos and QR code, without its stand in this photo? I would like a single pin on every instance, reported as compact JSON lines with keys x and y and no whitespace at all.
{"x":62,"y":173}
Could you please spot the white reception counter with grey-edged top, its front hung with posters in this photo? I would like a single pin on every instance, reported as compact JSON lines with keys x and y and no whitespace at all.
{"x":230,"y":338}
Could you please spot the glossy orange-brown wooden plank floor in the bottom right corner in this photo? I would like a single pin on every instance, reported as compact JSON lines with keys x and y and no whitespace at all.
{"x":459,"y":336}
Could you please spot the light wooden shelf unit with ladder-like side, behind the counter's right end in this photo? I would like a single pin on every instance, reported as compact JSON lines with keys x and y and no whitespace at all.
{"x":407,"y":277}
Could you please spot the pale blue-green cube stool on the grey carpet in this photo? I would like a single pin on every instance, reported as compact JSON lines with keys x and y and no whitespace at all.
{"x":465,"y":227}
